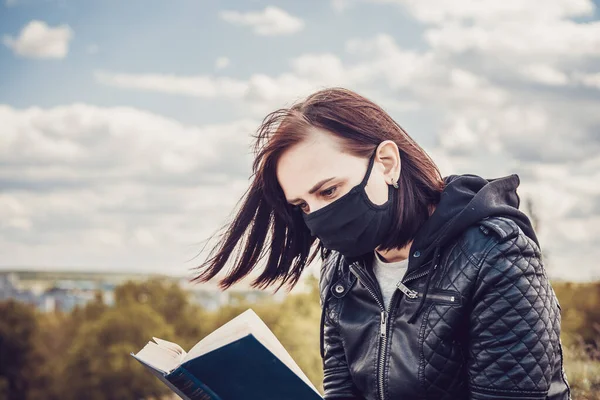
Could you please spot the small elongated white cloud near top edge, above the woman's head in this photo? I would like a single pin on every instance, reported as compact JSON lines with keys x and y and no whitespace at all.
{"x":271,"y":21}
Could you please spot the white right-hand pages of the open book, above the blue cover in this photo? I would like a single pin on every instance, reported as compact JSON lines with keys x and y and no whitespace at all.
{"x":246,"y":323}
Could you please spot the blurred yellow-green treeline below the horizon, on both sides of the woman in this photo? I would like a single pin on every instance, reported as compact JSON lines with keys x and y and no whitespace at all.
{"x":85,"y":353}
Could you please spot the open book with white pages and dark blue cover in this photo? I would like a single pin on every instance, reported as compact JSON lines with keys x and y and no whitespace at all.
{"x":240,"y":360}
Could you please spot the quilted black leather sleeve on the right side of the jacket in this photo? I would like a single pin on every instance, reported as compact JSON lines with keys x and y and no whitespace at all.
{"x":512,"y":291}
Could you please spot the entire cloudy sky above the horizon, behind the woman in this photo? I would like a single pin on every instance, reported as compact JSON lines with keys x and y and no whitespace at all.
{"x":125,"y":126}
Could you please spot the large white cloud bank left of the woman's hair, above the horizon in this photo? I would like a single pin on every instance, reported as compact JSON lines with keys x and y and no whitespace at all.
{"x":99,"y":187}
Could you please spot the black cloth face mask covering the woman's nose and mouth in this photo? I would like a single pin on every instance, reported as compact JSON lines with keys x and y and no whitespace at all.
{"x":352,"y":224}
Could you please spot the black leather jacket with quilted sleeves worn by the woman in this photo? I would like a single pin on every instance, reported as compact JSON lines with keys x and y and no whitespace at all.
{"x":488,"y":326}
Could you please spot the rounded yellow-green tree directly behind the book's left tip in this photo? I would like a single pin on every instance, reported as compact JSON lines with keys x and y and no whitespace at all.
{"x":99,"y":356}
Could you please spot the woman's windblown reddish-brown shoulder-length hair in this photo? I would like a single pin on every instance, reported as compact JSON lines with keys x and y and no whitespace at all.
{"x":273,"y":224}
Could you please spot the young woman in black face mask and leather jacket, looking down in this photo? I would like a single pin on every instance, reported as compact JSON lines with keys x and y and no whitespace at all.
{"x":431,"y":287}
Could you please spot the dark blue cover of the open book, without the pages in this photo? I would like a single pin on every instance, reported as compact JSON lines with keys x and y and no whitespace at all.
{"x":243,"y":369}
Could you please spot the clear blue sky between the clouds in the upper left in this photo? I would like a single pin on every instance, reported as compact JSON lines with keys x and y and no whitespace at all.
{"x":179,"y":37}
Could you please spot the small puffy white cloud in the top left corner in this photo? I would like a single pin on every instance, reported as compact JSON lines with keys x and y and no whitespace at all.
{"x":38,"y":40}
